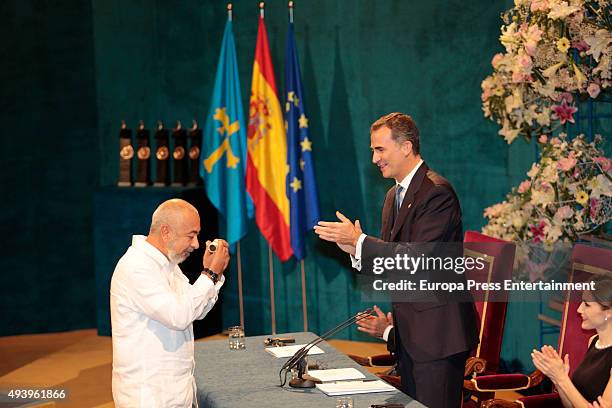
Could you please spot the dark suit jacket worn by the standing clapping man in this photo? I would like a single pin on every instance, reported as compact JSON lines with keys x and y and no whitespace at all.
{"x":430,"y":212}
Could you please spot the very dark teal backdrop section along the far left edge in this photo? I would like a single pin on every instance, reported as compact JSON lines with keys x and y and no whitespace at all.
{"x":50,"y":157}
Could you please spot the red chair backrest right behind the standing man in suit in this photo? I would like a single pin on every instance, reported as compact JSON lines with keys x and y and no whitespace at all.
{"x":499,"y":261}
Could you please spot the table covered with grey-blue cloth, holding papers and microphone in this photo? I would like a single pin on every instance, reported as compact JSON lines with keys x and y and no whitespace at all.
{"x":249,"y":378}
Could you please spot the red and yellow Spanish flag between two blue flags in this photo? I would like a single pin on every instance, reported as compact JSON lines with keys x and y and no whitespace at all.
{"x":267,"y":167}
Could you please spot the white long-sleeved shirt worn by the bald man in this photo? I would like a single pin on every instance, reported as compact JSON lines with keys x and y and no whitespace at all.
{"x":153,"y":307}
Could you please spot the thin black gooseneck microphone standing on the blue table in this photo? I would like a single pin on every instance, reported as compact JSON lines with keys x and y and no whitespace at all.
{"x":299,"y":358}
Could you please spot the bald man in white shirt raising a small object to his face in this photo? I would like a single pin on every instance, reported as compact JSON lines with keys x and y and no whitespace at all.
{"x":153,"y":307}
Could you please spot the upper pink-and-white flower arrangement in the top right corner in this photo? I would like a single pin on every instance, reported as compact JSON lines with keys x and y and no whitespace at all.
{"x":555,"y":51}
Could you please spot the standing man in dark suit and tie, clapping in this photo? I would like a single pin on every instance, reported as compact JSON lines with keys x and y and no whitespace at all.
{"x":433,"y":336}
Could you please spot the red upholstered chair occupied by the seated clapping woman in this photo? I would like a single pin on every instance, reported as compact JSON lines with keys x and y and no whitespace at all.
{"x":586,"y":262}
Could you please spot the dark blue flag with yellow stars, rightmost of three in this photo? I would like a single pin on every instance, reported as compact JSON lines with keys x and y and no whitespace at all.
{"x":301,"y":182}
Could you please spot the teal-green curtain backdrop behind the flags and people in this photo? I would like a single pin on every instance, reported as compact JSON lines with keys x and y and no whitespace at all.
{"x":73,"y":70}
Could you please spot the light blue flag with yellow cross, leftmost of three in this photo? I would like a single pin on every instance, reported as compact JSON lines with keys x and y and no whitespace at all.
{"x":223,"y":163}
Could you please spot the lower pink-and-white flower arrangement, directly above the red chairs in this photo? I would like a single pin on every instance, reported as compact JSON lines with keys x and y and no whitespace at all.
{"x":568,"y":192}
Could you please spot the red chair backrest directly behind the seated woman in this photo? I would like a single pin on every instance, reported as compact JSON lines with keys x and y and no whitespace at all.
{"x":587,"y":262}
